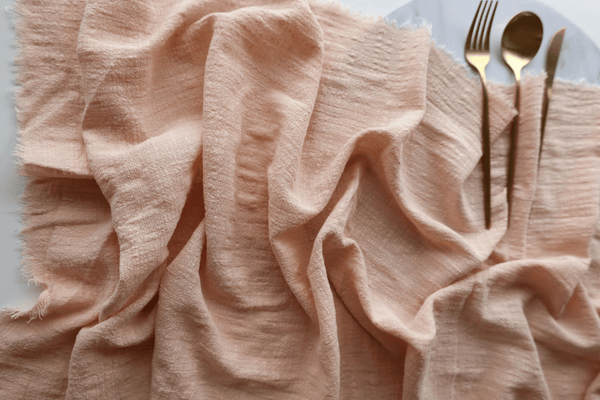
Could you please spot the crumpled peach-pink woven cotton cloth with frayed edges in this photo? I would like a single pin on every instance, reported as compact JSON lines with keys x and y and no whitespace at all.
{"x":283,"y":200}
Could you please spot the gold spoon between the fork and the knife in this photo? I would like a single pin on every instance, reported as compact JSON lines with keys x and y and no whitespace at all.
{"x":521,"y":41}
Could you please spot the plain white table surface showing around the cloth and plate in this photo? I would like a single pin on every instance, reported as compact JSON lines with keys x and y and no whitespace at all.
{"x":13,"y":289}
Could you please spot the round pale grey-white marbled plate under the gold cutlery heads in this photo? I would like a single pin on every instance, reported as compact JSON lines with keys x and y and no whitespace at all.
{"x":450,"y":21}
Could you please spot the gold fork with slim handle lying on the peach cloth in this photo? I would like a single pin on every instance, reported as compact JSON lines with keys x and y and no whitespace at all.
{"x":477,"y":54}
